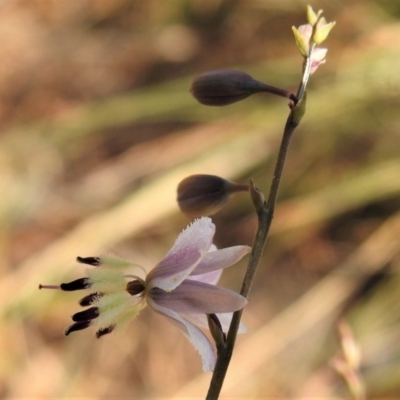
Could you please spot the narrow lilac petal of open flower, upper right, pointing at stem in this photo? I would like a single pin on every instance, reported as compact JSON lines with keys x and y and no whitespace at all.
{"x":221,"y":259}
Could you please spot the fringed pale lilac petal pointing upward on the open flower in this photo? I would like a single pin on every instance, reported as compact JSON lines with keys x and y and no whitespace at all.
{"x":190,"y":247}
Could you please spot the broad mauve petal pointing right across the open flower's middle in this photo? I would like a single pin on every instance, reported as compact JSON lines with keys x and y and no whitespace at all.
{"x":193,"y":297}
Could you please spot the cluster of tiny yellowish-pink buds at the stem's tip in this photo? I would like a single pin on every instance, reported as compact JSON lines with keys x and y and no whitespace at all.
{"x":310,"y":35}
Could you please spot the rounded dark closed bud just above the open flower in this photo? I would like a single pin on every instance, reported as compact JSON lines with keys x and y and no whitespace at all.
{"x":201,"y":195}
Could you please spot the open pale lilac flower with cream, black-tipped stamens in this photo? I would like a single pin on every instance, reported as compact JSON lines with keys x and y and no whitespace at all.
{"x":182,"y":287}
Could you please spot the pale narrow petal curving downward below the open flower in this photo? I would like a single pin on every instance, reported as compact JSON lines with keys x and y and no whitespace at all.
{"x":198,"y":339}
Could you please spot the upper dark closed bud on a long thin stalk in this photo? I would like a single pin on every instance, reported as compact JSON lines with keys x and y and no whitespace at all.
{"x":224,"y":87}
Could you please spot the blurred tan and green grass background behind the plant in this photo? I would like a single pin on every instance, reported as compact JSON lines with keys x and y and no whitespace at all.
{"x":97,"y":130}
